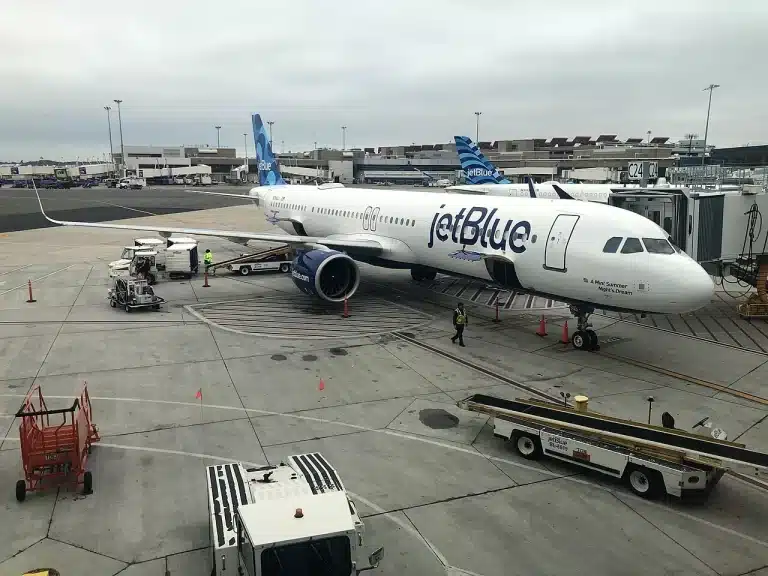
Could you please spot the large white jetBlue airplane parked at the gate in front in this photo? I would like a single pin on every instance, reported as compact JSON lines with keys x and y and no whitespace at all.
{"x":588,"y":255}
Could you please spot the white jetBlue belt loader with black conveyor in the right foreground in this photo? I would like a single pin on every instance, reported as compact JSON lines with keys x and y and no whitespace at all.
{"x":651,"y":460}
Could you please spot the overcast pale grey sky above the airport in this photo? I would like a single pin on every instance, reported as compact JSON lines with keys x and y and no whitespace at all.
{"x":393,"y":72}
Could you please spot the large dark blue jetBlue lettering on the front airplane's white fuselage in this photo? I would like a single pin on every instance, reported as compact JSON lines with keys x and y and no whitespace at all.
{"x":478,"y":224}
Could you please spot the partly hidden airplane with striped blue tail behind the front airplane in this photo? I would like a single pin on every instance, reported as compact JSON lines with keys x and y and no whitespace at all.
{"x":484,"y":178}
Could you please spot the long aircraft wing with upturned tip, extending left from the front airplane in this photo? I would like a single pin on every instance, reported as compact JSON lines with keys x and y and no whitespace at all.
{"x":368,"y":246}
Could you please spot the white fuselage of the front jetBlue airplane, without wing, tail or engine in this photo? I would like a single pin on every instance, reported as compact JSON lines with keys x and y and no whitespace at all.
{"x":557,"y":246}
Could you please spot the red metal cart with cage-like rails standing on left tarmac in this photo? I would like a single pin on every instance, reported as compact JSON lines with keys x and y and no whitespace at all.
{"x":55,"y":452}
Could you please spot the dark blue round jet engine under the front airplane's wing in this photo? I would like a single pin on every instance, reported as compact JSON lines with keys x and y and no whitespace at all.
{"x":327,"y":274}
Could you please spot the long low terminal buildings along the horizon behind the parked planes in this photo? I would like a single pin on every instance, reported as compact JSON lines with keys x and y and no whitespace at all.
{"x":604,"y":159}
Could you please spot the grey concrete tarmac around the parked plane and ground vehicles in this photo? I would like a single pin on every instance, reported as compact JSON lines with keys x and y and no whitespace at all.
{"x":435,"y":488}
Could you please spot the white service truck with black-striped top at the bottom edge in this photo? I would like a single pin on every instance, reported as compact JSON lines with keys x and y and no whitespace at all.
{"x":293,"y":518}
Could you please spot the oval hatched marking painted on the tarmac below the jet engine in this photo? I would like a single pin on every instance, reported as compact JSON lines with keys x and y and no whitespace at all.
{"x":298,"y":316}
